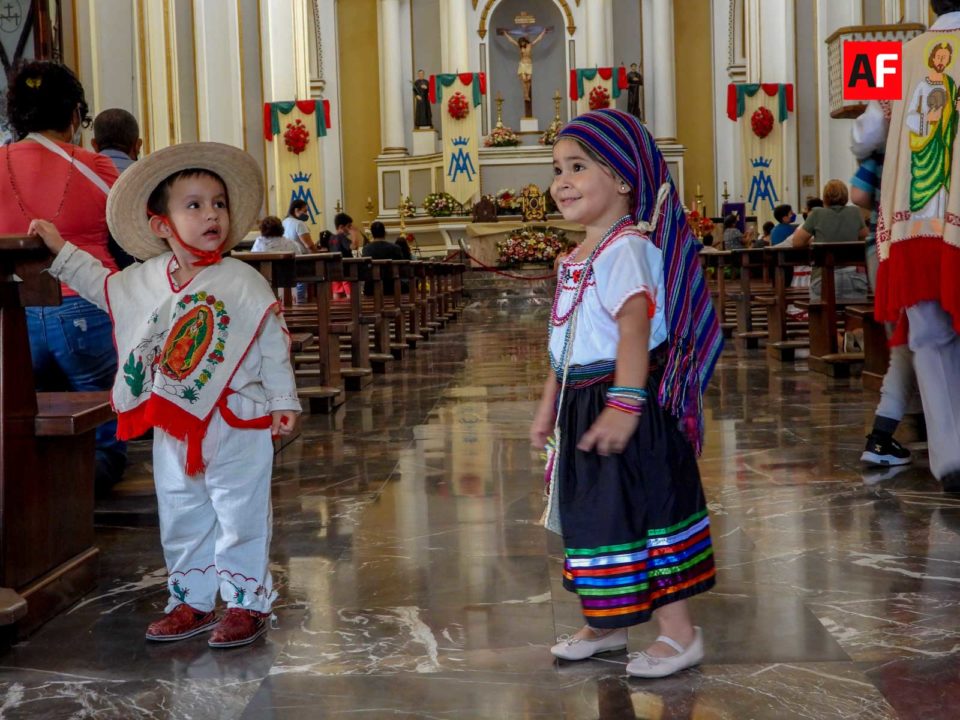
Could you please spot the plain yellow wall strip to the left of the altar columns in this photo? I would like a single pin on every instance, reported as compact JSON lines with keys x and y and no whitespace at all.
{"x":359,"y":114}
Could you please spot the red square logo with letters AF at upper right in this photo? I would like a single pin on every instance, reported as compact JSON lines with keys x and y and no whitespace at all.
{"x":872,"y":70}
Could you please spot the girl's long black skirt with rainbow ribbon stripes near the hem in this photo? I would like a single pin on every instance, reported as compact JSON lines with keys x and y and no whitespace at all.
{"x":636,"y":533}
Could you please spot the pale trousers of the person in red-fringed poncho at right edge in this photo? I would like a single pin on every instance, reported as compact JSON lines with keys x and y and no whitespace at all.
{"x":936,"y":358}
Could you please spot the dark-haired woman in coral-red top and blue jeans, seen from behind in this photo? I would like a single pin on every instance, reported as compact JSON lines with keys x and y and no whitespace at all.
{"x":44,"y":174}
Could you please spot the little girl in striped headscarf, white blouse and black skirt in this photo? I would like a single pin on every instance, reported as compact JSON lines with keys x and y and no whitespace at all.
{"x":633,"y":343}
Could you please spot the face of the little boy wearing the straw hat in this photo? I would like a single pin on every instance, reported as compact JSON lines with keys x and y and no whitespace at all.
{"x":198,"y":210}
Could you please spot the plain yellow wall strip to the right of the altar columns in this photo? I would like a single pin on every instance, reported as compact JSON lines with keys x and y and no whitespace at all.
{"x":695,"y":101}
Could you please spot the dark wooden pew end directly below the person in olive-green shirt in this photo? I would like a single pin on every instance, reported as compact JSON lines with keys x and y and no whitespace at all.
{"x":825,"y":316}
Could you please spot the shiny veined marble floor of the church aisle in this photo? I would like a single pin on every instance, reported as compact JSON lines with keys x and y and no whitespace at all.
{"x":415,"y":583}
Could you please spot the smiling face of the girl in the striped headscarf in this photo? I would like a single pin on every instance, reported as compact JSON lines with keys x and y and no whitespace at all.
{"x":586,"y":191}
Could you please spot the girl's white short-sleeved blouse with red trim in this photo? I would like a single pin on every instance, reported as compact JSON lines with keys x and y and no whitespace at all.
{"x":630,"y":265}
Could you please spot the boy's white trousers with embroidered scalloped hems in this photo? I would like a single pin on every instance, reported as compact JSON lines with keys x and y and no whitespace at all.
{"x":216,"y":526}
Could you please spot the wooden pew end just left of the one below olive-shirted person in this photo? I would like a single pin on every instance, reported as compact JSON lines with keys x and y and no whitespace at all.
{"x":783,"y":337}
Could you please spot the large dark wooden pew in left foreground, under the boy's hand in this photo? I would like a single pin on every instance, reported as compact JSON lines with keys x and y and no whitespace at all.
{"x":47,"y":557}
